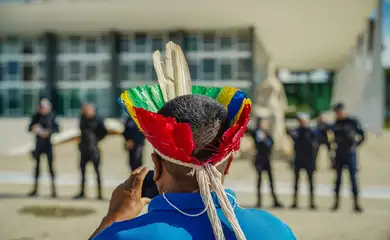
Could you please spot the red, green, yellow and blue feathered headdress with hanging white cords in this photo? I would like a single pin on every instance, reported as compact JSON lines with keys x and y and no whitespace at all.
{"x":173,"y":141}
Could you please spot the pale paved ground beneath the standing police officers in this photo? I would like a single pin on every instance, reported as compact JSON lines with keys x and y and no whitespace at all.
{"x":18,"y":224}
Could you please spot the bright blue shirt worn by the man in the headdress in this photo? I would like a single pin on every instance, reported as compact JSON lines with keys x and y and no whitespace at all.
{"x":166,"y":223}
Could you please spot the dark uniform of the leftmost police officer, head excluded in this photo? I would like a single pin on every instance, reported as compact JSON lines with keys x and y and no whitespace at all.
{"x":43,"y":146}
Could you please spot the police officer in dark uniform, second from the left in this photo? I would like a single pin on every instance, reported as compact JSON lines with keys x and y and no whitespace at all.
{"x":92,"y":131}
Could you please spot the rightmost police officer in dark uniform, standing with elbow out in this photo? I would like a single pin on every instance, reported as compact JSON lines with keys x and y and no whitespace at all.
{"x":348,"y":135}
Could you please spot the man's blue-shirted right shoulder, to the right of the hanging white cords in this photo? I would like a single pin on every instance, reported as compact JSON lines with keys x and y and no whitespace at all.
{"x":272,"y":227}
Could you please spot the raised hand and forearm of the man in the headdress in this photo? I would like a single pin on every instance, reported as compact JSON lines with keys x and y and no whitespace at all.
{"x":126,"y":201}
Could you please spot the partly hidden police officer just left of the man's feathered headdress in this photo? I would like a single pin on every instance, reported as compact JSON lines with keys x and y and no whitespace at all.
{"x":134,"y":143}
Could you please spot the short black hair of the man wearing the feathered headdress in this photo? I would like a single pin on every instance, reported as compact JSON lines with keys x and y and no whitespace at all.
{"x":207,"y":118}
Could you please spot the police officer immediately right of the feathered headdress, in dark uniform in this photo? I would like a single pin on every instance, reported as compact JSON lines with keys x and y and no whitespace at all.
{"x":262,"y":162}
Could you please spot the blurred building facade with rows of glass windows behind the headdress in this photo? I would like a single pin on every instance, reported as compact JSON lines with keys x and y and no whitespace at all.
{"x":70,"y":69}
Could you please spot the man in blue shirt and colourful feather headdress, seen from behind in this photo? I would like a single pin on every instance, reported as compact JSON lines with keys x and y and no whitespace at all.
{"x":194,"y":131}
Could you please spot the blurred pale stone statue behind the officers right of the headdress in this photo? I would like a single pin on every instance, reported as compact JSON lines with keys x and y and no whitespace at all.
{"x":271,"y":102}
